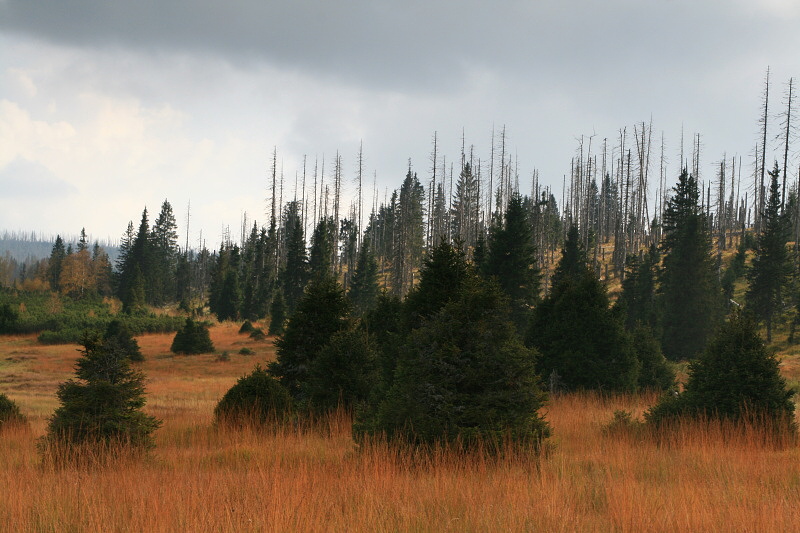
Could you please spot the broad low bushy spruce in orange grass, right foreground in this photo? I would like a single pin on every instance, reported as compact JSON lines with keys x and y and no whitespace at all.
{"x":735,"y":378}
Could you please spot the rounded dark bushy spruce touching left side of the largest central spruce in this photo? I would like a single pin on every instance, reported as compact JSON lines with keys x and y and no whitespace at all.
{"x":343,"y":373}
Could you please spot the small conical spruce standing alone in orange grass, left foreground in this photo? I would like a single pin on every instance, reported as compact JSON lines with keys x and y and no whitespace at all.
{"x":103,"y":405}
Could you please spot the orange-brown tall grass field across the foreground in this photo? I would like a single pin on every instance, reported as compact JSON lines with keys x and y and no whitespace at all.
{"x":198,"y":478}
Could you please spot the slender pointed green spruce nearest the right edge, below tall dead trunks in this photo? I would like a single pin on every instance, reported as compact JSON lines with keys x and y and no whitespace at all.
{"x":769,"y":272}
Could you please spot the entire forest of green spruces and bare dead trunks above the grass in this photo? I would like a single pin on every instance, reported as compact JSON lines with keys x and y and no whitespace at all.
{"x":450,"y":315}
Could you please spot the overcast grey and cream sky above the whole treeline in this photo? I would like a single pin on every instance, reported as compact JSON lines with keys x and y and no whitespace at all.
{"x":108,"y":107}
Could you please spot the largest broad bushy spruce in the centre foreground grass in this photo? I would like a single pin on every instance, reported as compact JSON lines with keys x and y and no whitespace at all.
{"x":464,"y":378}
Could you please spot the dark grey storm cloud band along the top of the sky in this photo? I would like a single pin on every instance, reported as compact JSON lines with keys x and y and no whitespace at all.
{"x":407,"y":46}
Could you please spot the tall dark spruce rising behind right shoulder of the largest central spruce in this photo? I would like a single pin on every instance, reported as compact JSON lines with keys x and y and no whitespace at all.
{"x":512,"y":260}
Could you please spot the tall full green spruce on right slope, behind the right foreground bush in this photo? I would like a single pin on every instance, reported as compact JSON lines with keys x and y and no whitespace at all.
{"x":690,"y":293}
